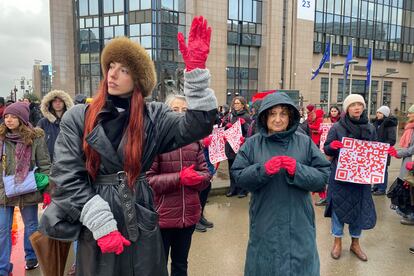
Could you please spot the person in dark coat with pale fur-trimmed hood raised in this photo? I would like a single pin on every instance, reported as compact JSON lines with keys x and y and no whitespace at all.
{"x":54,"y":104}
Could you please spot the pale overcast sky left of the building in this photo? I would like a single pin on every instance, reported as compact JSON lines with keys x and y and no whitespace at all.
{"x":24,"y":37}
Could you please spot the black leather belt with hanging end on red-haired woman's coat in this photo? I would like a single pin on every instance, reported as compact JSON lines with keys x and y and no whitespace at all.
{"x":127,"y":198}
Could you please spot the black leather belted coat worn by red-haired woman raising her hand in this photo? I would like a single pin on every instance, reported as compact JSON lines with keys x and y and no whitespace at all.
{"x":136,"y":219}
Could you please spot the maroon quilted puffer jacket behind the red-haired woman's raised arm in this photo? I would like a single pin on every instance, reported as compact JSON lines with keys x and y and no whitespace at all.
{"x":177,"y":205}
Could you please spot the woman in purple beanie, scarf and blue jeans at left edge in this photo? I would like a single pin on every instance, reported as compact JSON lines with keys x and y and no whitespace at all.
{"x":23,"y":149}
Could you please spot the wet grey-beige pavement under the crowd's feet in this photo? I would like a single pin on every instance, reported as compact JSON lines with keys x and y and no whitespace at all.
{"x":221,"y":250}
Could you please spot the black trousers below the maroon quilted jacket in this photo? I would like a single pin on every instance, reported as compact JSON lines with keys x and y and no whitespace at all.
{"x":179,"y":241}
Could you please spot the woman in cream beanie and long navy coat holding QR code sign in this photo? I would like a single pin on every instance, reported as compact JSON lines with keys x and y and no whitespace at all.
{"x":348,"y":202}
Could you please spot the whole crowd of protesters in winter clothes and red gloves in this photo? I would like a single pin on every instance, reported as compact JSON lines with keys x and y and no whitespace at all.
{"x":128,"y":180}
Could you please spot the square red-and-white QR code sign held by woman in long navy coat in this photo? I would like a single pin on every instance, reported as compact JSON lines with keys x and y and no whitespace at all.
{"x":362,"y":162}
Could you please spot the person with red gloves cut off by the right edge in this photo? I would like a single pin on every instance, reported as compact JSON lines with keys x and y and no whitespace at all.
{"x":405,"y":153}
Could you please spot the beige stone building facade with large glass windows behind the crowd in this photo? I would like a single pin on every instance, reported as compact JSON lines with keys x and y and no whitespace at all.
{"x":256,"y":45}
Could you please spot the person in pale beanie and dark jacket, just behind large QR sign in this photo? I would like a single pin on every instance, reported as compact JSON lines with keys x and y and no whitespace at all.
{"x":386,"y":126}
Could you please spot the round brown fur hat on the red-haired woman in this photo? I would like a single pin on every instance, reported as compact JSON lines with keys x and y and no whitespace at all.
{"x":133,"y":56}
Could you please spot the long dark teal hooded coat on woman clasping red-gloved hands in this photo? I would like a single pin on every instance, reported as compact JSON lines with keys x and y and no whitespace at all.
{"x":282,"y":220}
